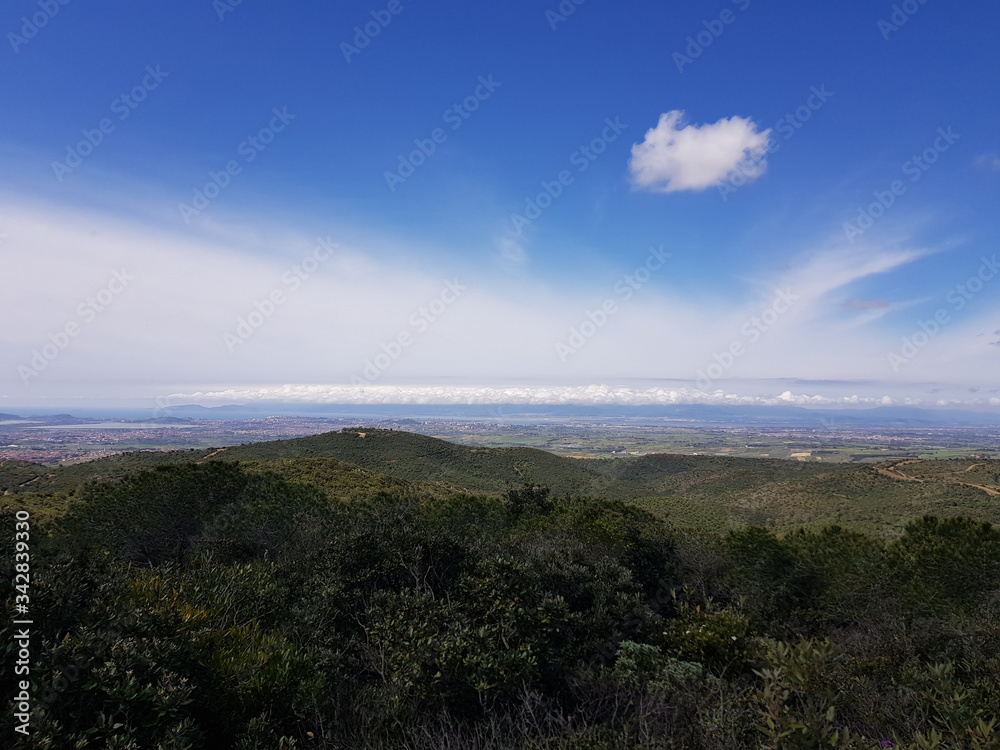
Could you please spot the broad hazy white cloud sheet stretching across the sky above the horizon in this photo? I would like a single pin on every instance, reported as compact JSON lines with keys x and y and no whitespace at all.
{"x":166,"y":332}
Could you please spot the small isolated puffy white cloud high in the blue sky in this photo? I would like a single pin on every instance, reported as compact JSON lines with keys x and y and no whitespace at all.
{"x":675,"y":156}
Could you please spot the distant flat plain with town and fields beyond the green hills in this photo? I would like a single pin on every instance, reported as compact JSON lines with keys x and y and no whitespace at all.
{"x":56,"y":439}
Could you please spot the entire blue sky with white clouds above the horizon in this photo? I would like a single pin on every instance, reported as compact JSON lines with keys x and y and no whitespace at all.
{"x":751,"y":203}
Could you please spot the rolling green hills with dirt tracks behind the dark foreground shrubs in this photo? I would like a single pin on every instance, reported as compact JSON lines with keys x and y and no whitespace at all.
{"x":709,"y":491}
